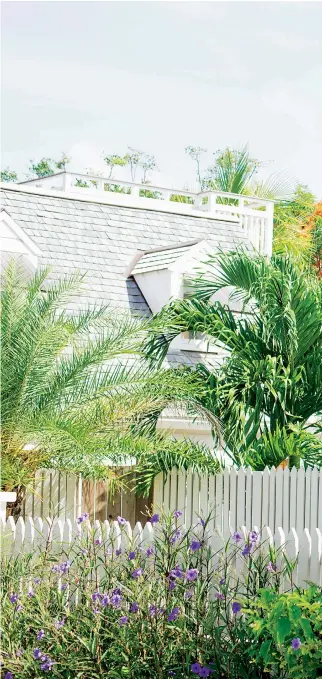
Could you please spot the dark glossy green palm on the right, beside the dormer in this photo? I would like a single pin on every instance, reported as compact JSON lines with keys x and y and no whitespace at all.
{"x":268,"y":387}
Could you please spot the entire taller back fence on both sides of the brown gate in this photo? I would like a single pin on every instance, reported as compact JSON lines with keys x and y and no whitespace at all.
{"x":288,"y":498}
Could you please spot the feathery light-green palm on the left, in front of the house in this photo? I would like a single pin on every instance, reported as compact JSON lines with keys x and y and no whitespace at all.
{"x":75,"y":391}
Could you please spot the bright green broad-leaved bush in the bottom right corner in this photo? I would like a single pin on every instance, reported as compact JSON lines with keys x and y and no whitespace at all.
{"x":282,"y":618}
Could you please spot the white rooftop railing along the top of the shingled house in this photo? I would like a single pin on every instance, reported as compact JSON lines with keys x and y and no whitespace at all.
{"x":254,"y":215}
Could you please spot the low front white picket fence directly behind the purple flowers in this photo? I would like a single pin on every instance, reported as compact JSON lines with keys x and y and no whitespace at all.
{"x":29,"y":536}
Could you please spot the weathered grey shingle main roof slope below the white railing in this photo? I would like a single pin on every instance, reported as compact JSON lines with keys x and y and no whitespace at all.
{"x":100,"y":240}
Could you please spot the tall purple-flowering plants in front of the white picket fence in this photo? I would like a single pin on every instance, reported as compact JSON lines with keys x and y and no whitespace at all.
{"x":81,"y":602}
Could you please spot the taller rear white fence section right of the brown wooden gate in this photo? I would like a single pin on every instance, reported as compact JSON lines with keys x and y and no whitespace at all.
{"x":288,"y":498}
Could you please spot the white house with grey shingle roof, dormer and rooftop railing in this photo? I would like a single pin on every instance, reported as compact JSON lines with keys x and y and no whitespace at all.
{"x":135,"y":249}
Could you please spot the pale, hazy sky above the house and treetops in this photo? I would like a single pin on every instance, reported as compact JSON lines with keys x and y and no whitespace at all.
{"x":90,"y":78}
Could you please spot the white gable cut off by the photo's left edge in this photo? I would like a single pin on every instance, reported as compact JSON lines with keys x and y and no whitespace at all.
{"x":15,"y":242}
